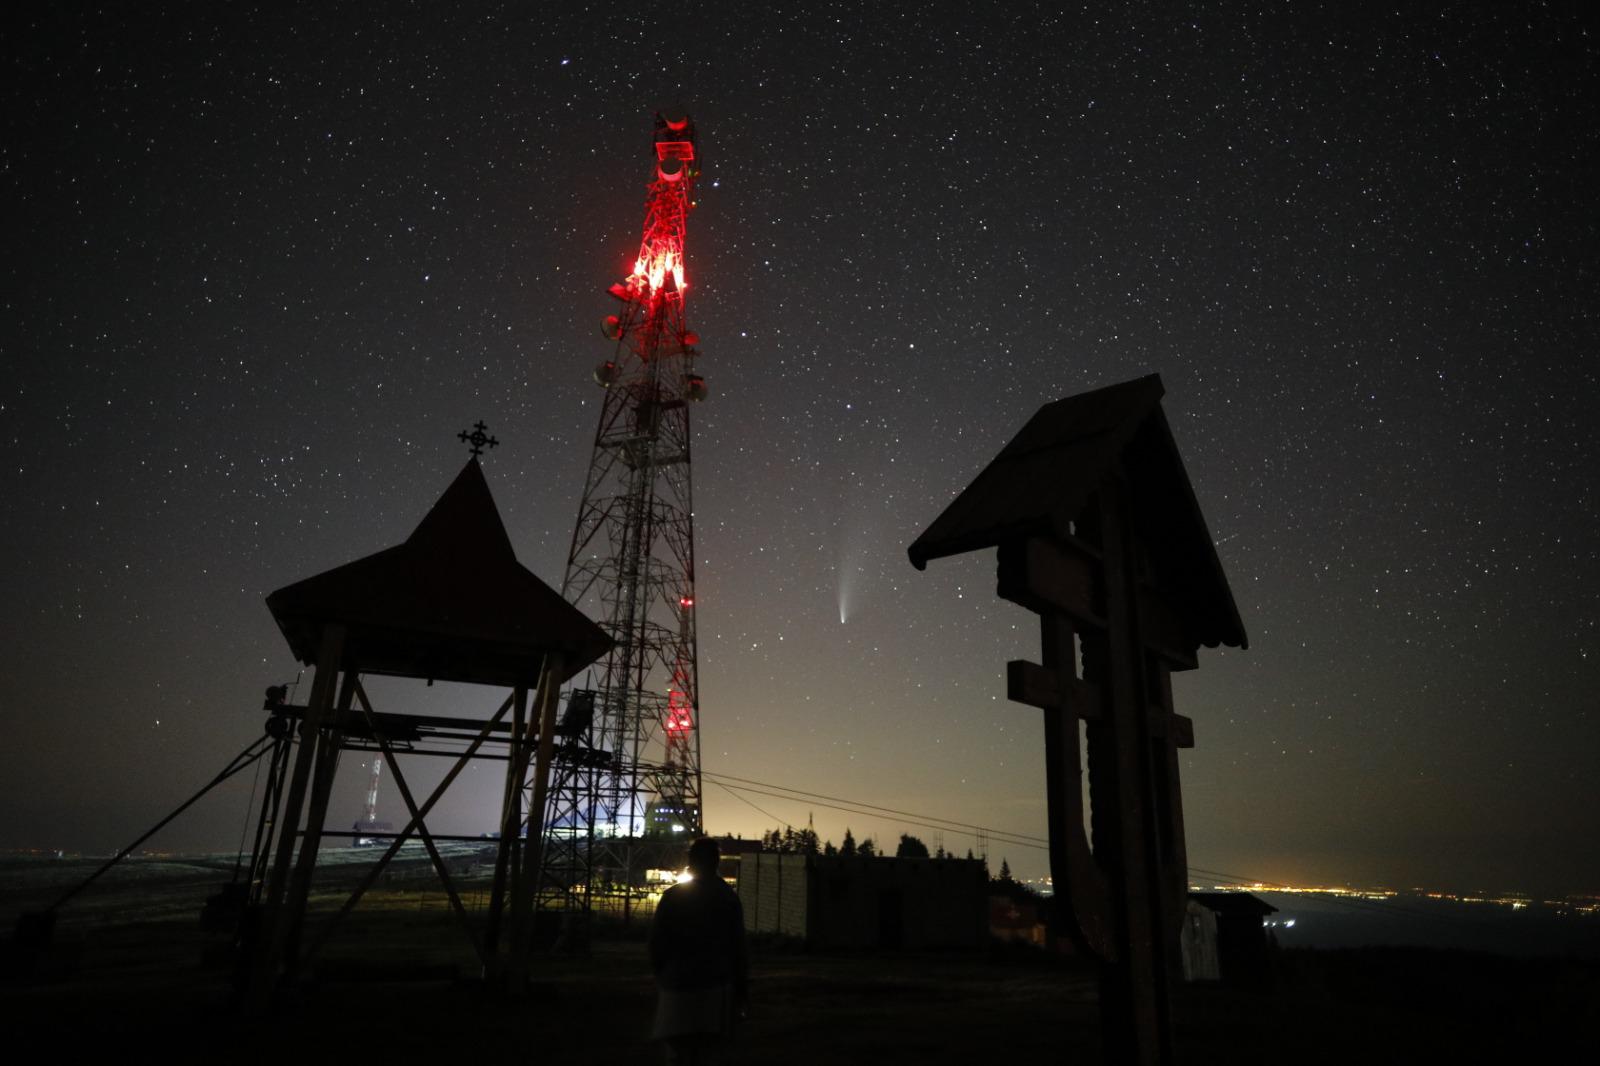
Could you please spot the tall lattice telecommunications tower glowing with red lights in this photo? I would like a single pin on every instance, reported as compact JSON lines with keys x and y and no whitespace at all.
{"x":626,"y":780}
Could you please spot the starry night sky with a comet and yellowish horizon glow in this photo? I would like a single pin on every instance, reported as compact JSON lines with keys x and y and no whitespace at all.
{"x":262,"y":268}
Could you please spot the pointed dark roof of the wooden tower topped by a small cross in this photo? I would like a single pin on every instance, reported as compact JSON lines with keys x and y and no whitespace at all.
{"x":450,"y":604}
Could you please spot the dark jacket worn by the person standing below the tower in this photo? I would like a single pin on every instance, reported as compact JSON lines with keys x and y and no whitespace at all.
{"x":697,"y":939}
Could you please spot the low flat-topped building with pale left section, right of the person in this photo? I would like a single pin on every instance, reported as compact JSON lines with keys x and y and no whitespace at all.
{"x":866,"y":902}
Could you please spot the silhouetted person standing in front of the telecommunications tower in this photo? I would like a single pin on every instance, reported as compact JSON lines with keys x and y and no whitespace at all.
{"x":697,"y":950}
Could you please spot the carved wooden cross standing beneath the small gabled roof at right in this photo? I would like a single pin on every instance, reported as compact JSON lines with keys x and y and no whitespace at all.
{"x":1121,"y":889}
